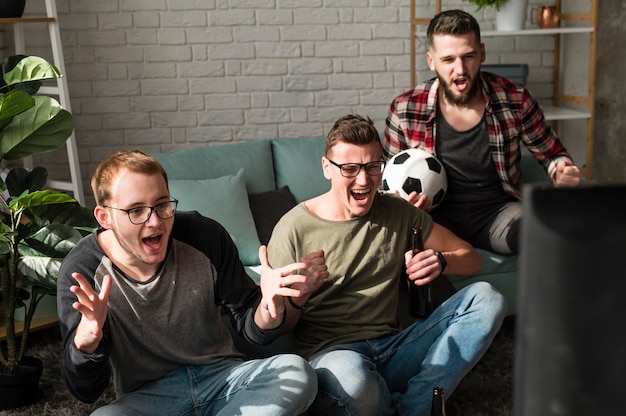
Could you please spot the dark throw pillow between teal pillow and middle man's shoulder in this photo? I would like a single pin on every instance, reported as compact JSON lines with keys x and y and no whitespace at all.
{"x":267,"y":208}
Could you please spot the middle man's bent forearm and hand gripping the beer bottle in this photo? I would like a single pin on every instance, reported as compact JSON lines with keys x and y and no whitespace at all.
{"x":462,"y":259}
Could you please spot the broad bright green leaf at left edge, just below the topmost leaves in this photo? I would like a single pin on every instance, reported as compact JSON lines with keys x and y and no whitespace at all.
{"x":43,"y":128}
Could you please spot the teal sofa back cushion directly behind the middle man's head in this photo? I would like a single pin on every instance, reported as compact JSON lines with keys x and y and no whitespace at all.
{"x":298,"y":164}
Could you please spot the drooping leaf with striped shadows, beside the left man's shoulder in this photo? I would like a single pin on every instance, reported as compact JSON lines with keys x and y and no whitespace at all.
{"x":43,"y":253}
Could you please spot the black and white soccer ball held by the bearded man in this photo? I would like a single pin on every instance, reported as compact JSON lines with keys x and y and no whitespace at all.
{"x":416,"y":170}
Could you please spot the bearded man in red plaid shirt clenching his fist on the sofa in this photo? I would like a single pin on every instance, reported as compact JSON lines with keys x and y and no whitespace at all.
{"x":475,"y":123}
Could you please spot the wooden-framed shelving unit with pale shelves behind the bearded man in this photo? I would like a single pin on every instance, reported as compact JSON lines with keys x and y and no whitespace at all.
{"x":565,"y":106}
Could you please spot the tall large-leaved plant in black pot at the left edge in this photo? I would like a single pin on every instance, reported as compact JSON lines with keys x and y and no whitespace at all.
{"x":38,"y":227}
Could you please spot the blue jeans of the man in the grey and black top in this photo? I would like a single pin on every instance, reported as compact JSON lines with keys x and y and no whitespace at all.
{"x":280,"y":385}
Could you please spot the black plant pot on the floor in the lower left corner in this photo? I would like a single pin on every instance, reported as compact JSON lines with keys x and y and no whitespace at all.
{"x":21,"y":389}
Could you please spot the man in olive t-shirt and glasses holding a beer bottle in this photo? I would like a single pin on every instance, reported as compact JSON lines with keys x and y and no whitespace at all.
{"x":346,"y":323}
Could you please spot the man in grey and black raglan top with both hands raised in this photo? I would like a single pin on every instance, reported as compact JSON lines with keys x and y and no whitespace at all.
{"x":141,"y":300}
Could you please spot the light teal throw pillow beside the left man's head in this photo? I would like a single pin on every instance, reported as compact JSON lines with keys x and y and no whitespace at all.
{"x":225,"y":200}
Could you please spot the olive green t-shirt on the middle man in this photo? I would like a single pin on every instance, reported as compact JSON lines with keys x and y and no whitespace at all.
{"x":365,"y":259}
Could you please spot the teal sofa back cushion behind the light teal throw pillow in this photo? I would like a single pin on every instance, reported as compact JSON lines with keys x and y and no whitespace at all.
{"x":208,"y":162}
